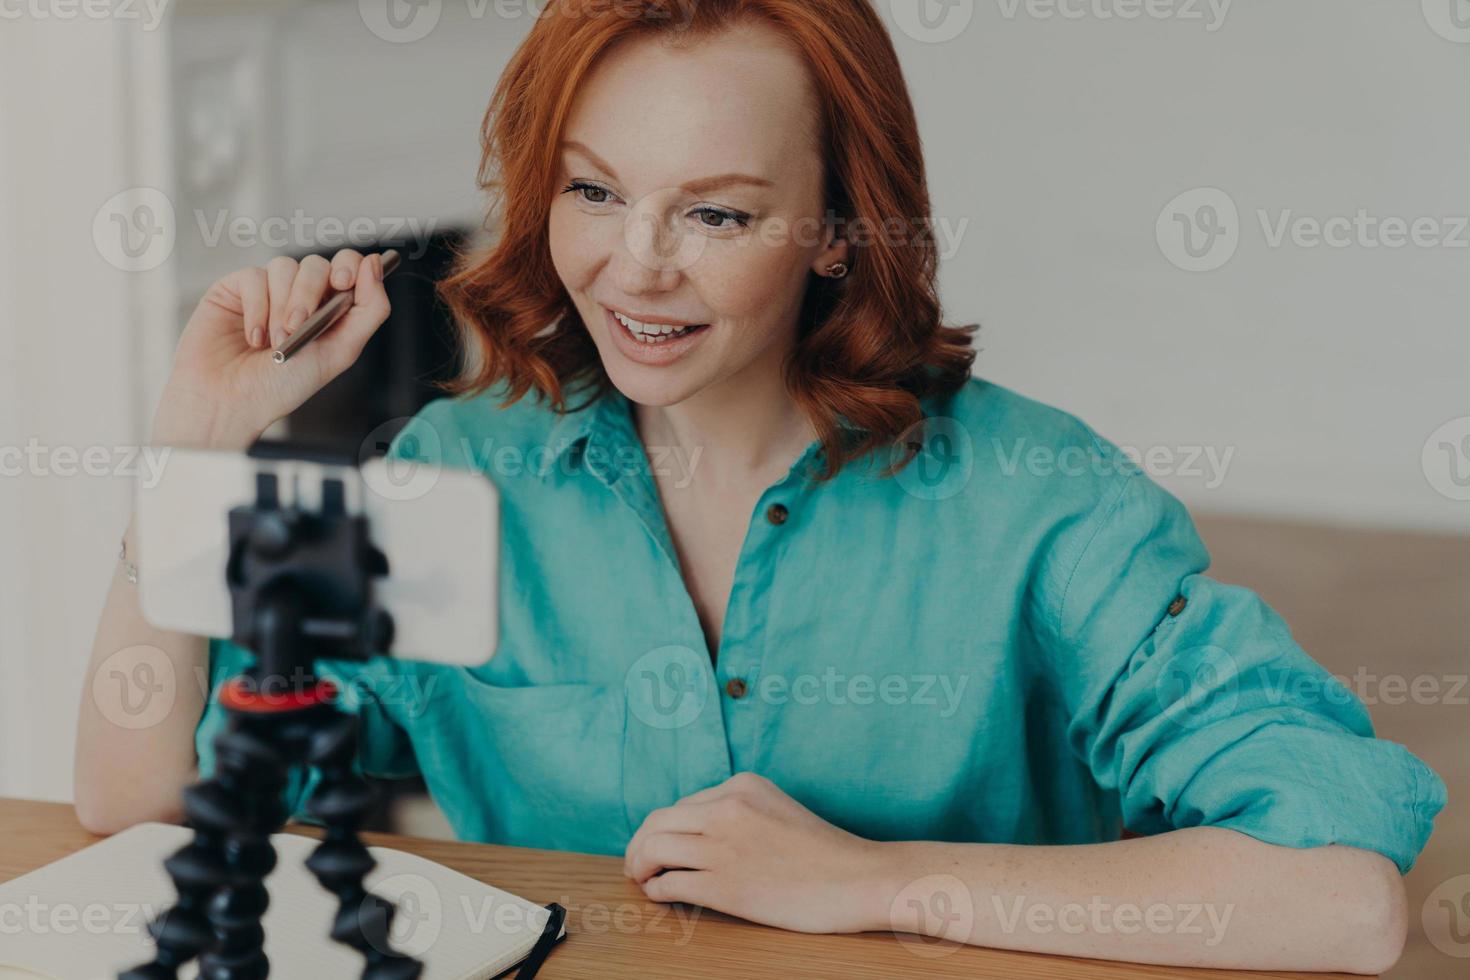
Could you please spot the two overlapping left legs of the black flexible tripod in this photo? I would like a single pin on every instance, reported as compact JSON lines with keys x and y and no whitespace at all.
{"x":220,"y":876}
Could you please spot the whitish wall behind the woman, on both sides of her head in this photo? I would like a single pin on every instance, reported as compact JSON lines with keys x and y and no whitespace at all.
{"x":1059,"y":142}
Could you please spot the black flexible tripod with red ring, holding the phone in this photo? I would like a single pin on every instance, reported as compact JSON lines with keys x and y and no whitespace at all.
{"x":301,"y":587}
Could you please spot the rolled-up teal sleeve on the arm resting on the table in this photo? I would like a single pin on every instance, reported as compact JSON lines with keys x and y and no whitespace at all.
{"x":1193,"y":703}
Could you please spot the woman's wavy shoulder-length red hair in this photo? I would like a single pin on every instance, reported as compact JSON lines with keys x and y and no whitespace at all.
{"x":868,"y":346}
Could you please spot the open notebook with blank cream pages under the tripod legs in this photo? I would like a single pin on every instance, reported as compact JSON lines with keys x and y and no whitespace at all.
{"x":86,"y":918}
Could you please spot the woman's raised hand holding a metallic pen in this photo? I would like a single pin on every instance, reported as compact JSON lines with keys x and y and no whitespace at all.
{"x":226,"y":390}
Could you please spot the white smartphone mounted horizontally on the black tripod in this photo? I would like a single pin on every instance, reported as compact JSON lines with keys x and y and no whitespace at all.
{"x":439,"y":530}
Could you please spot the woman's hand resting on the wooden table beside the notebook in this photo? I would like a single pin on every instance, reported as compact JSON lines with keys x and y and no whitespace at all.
{"x":749,"y":850}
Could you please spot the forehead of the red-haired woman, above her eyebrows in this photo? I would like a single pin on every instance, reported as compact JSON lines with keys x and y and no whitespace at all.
{"x":662,"y":115}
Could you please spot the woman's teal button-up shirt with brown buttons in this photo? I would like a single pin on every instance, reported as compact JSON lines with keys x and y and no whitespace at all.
{"x":1011,"y":641}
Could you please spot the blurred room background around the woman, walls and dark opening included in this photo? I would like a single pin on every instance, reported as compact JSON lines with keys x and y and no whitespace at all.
{"x":1233,"y":237}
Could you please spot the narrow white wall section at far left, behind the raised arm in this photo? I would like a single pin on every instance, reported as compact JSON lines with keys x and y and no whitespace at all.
{"x":68,"y":371}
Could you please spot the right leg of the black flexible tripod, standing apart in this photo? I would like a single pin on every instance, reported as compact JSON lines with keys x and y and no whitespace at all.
{"x":340,"y":863}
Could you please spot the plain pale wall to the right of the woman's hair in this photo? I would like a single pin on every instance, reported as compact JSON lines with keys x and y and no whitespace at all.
{"x":1327,"y":370}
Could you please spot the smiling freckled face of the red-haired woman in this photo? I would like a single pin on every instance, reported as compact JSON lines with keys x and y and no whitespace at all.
{"x":692,"y":198}
